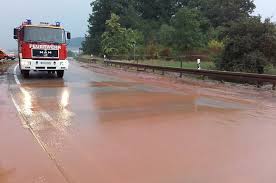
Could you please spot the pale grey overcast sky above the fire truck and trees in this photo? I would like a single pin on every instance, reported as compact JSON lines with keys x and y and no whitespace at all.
{"x":72,"y":13}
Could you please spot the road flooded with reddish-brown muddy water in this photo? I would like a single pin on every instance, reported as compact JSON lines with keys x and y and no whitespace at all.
{"x":106,"y":126}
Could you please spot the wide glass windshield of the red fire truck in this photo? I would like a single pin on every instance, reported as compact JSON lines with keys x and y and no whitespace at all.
{"x":41,"y":34}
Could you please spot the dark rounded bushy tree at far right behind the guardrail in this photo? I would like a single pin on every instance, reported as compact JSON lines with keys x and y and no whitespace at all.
{"x":250,"y":46}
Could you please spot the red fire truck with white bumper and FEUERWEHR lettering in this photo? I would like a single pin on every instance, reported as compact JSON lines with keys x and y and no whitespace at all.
{"x":42,"y":48}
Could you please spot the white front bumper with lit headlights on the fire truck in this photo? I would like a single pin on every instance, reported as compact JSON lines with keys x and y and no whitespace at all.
{"x":44,"y":65}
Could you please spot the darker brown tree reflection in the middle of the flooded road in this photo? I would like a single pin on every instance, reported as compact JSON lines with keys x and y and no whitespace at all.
{"x":118,"y":106}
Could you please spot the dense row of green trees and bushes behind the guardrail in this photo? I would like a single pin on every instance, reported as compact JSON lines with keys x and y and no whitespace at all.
{"x":226,"y":30}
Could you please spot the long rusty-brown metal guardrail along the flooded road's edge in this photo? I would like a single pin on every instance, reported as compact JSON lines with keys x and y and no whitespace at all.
{"x":258,"y":79}
